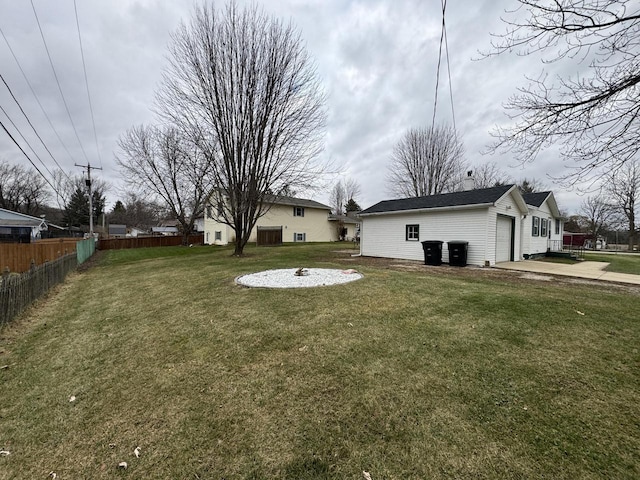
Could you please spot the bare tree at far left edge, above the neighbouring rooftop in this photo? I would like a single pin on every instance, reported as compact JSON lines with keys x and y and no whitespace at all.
{"x":22,"y":190}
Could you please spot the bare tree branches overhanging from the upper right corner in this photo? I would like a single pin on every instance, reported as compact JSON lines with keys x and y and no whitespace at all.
{"x":595,"y":117}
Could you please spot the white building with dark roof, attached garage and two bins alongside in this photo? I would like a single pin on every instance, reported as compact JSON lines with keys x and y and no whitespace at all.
{"x":496,"y":222}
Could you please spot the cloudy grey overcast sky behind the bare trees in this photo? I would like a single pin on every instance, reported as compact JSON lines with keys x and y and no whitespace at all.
{"x":376,"y":60}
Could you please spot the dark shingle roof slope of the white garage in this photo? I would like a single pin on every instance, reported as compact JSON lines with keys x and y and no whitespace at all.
{"x":468,"y":197}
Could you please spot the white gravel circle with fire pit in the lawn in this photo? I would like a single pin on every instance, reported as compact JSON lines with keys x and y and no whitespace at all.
{"x":286,"y":278}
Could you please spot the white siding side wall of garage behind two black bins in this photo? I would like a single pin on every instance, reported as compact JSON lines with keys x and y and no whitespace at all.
{"x":385,"y":235}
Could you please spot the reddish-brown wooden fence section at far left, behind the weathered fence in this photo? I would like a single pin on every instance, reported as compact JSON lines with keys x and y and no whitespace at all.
{"x":17,"y":257}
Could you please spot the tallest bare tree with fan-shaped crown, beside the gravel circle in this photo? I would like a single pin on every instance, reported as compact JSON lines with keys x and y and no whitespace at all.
{"x":242,"y":86}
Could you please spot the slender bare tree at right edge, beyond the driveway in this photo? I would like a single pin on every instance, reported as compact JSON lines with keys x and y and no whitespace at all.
{"x":623,"y":185}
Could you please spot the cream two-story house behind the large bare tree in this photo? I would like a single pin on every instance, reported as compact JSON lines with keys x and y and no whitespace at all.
{"x":289,"y":219}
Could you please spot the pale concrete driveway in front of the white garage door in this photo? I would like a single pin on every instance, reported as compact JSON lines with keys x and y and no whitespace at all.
{"x":590,"y":270}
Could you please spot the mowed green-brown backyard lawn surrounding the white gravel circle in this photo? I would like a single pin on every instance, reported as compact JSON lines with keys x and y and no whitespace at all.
{"x":409,"y":373}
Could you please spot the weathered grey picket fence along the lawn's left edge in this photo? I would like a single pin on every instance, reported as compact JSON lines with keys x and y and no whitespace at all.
{"x":18,"y":291}
